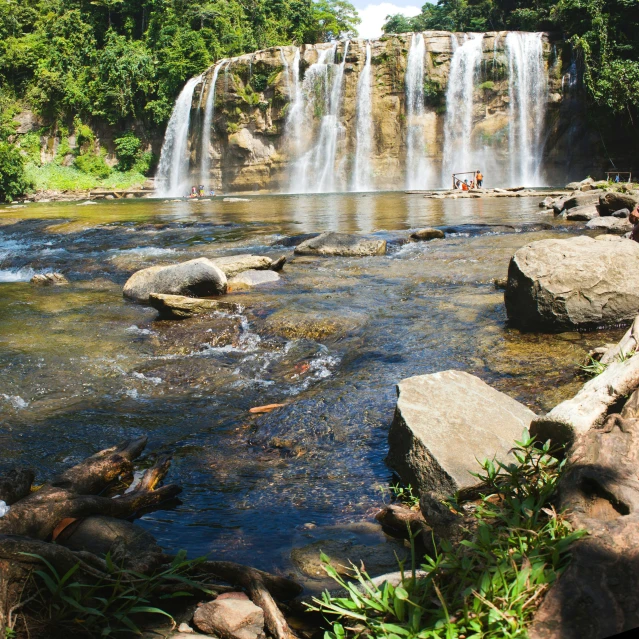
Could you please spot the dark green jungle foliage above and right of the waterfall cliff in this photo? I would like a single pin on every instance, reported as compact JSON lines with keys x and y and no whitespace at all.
{"x":604,"y":33}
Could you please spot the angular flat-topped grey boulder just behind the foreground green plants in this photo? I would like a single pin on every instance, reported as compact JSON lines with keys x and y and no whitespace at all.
{"x":444,"y":423}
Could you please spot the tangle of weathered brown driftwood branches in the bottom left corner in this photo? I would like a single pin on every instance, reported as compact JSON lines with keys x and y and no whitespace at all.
{"x":38,"y":517}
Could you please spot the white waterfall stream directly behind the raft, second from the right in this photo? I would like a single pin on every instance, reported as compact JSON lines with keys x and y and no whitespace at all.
{"x":458,"y":122}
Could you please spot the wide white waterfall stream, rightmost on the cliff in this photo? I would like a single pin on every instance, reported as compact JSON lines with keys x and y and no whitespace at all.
{"x":527,"y":91}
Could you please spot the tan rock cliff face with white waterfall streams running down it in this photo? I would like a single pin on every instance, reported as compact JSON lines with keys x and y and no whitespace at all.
{"x":286,"y":119}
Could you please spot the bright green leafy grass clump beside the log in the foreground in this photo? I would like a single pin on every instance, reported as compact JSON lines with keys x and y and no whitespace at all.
{"x":486,"y":587}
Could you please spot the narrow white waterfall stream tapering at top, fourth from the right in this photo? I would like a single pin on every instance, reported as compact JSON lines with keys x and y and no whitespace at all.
{"x":362,"y":174}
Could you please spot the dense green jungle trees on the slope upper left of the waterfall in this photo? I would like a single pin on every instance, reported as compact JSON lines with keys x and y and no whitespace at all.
{"x":115,"y":60}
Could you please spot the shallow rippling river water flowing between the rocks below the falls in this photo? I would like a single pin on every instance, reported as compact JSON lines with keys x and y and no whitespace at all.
{"x":82,"y":369}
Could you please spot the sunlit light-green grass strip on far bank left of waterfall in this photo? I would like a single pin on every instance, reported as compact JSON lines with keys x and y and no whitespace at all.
{"x":55,"y":177}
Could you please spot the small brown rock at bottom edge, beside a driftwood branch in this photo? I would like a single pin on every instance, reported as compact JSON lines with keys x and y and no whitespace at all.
{"x":230,"y":619}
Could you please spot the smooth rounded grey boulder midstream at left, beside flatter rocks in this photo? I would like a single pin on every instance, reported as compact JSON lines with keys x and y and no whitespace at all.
{"x":198,"y":278}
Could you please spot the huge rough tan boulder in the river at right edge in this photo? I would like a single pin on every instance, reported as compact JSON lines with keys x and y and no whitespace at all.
{"x":577,"y":282}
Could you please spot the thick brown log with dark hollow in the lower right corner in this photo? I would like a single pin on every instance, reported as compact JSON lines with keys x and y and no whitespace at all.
{"x":598,"y":594}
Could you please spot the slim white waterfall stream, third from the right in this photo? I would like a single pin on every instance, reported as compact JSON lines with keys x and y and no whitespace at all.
{"x":417,"y":169}
